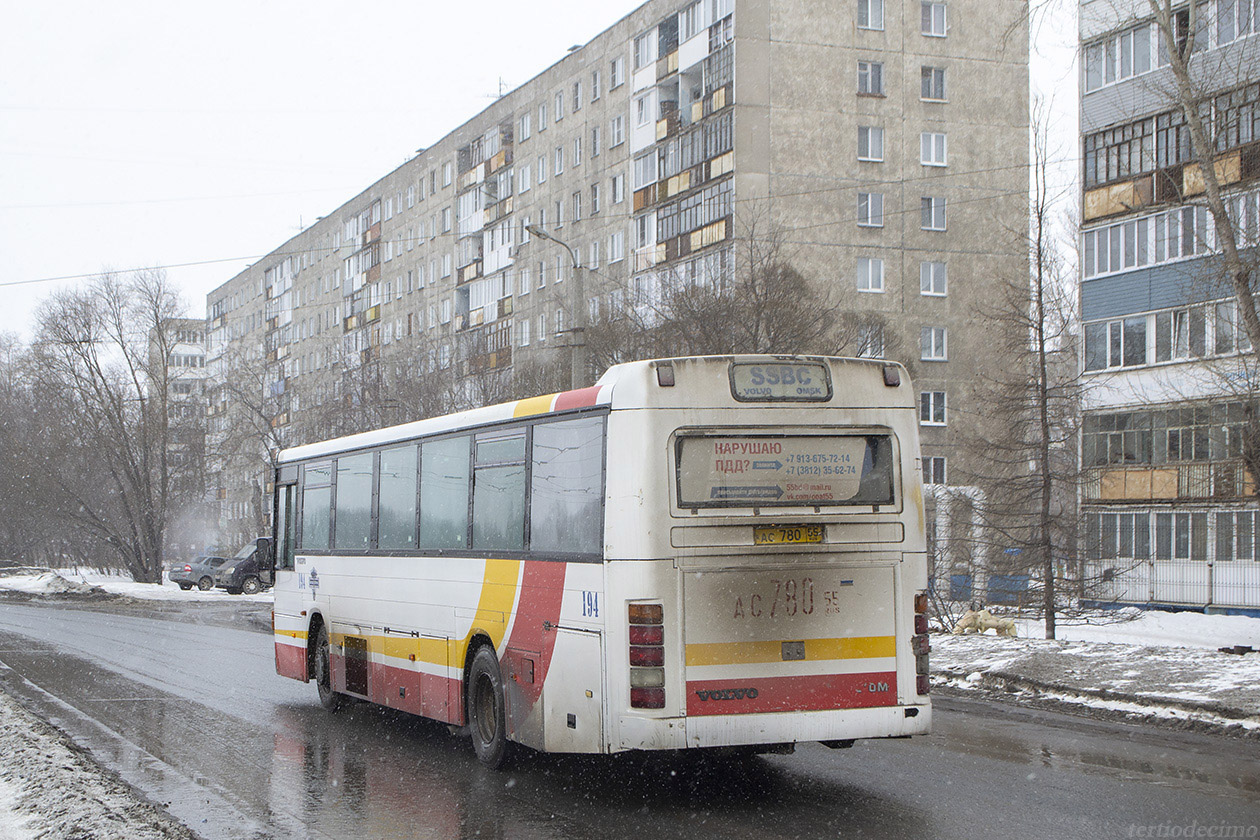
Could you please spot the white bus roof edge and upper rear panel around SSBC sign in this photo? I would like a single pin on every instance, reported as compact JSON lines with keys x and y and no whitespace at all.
{"x":637,"y":385}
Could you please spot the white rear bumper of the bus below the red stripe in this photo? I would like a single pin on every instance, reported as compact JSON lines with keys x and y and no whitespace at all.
{"x":774,"y":729}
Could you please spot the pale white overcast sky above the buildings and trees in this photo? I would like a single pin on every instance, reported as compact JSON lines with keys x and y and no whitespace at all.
{"x":143,"y":133}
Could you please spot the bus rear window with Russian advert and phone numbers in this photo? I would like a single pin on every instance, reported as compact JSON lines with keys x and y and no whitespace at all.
{"x":764,"y":470}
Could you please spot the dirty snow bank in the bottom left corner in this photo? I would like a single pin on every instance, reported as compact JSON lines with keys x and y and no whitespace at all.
{"x":52,"y":789}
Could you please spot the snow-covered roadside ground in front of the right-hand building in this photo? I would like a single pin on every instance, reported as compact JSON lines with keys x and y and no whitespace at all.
{"x":1140,"y":666}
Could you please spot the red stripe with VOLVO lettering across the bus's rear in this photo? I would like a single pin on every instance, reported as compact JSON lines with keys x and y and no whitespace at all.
{"x":792,"y":693}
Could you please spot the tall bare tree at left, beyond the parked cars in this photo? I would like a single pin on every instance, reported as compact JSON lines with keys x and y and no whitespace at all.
{"x":101,"y":370}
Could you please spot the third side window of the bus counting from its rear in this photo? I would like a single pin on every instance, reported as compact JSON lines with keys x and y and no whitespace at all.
{"x":444,"y":493}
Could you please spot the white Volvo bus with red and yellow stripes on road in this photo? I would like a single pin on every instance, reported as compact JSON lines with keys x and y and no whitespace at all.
{"x":700,"y":552}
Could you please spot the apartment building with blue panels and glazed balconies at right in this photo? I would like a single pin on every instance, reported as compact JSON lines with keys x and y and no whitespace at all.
{"x":1170,"y":509}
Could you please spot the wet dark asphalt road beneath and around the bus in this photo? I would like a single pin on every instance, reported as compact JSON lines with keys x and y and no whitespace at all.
{"x":188,"y":708}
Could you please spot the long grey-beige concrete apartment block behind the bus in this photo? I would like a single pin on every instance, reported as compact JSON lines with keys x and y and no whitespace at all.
{"x":886,"y":144}
